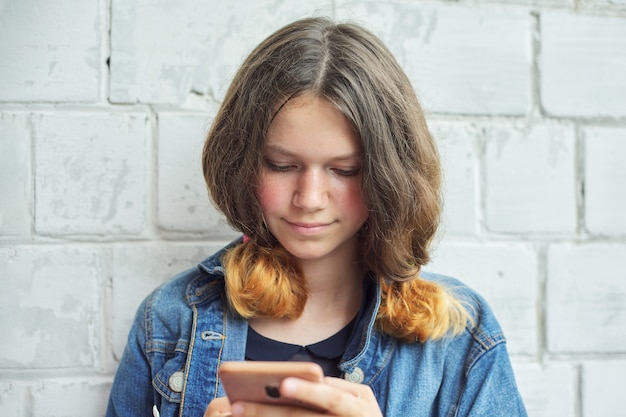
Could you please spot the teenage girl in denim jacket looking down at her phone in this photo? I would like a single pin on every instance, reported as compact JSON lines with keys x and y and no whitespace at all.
{"x":320,"y":156}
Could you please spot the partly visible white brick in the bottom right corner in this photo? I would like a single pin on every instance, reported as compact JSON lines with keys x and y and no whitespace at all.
{"x":603,"y":388}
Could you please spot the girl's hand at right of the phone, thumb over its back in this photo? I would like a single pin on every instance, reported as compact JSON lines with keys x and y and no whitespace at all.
{"x":336,"y":396}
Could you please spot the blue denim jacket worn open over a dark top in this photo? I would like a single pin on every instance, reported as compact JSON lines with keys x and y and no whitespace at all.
{"x":184,"y":330}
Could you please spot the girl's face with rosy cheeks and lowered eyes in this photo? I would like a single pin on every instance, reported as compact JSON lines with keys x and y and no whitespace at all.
{"x":310,"y":183}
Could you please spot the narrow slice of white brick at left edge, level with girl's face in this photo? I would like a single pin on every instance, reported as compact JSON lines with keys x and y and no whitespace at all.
{"x":15,"y":175}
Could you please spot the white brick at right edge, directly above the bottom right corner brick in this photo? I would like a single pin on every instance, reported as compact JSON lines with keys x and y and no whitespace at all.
{"x":586,"y":298}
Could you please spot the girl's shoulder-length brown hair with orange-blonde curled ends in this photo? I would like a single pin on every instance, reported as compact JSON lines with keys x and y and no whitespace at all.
{"x":351,"y":68}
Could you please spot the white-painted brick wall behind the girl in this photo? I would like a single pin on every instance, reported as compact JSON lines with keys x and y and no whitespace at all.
{"x":103,"y":109}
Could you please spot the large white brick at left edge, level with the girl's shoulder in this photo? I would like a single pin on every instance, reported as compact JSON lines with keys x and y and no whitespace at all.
{"x":50,"y":307}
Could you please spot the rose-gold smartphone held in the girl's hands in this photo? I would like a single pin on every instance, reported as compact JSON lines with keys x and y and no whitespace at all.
{"x":258,"y":381}
